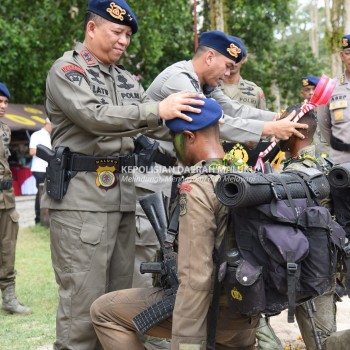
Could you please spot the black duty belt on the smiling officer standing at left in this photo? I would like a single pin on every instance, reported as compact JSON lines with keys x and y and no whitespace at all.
{"x":89,"y":163}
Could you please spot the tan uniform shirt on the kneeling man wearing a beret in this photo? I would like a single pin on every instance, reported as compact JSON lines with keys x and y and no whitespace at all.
{"x":202,"y":224}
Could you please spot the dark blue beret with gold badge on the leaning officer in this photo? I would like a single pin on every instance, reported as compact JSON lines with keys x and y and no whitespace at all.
{"x":222,"y":43}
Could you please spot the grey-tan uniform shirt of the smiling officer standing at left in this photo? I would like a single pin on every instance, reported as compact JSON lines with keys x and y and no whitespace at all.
{"x":95,"y":110}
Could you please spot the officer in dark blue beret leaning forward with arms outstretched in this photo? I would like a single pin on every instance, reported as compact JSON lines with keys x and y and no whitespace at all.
{"x":214,"y":58}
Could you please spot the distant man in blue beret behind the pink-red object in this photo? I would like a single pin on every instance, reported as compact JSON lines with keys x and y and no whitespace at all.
{"x":309,"y":83}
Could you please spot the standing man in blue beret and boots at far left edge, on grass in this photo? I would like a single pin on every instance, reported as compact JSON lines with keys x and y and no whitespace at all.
{"x":8,"y":218}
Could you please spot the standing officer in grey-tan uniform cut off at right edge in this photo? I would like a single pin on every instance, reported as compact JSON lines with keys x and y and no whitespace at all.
{"x":334,"y":118}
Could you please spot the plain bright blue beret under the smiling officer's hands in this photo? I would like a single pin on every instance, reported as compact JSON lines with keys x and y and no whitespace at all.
{"x":210,"y":113}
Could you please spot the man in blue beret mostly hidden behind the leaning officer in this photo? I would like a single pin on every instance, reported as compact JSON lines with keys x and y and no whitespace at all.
{"x":239,"y":89}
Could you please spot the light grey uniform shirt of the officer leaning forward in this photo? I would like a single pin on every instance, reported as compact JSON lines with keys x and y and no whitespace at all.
{"x":242,"y":123}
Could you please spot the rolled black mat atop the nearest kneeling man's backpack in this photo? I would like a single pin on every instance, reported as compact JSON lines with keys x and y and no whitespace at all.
{"x":243,"y":189}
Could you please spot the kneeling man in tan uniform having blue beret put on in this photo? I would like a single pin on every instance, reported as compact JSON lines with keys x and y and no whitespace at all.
{"x":202,"y":225}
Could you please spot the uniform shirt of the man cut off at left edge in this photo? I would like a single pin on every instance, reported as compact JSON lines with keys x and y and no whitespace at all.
{"x":7,"y":197}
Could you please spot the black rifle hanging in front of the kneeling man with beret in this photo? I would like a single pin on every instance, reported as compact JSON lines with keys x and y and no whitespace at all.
{"x":155,"y":210}
